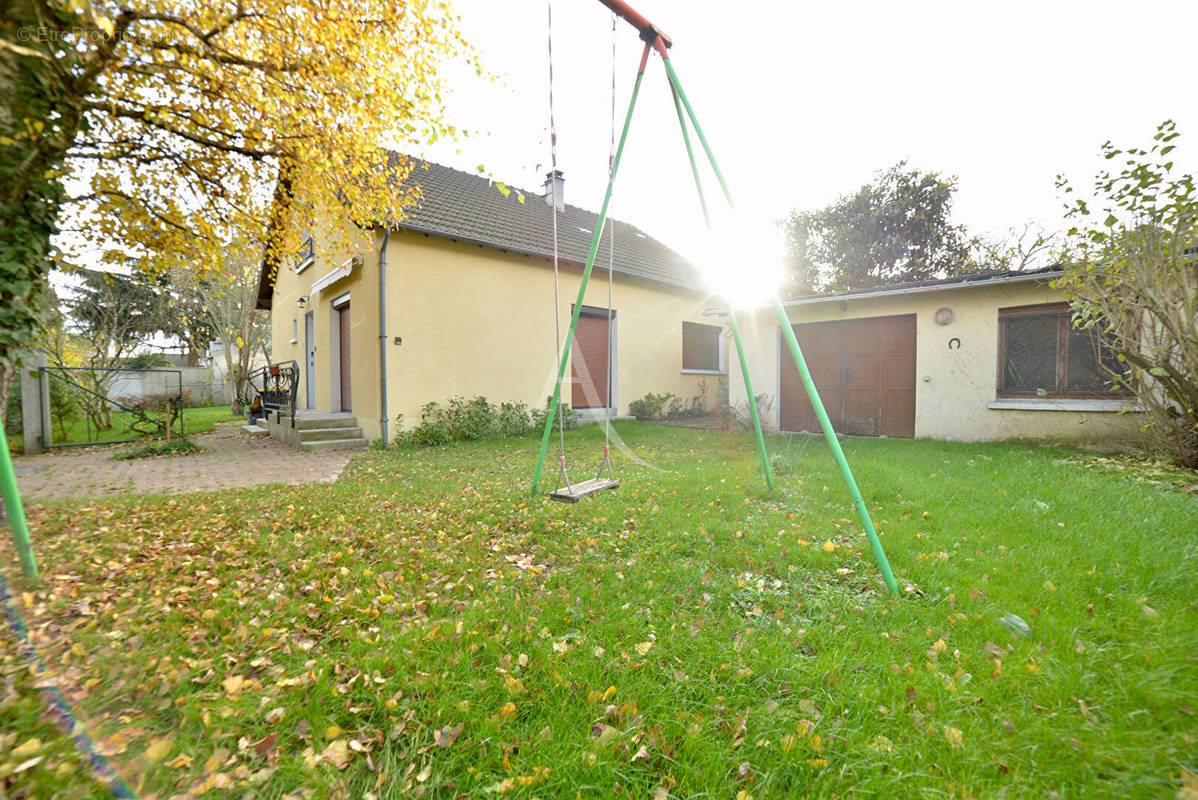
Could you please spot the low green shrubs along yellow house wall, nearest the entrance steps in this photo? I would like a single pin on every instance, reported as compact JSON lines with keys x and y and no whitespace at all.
{"x":461,"y":420}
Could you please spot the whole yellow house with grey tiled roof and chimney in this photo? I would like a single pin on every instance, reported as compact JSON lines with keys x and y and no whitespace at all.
{"x":469,"y":311}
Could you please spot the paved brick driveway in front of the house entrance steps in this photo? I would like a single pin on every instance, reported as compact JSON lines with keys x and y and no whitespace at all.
{"x":231,"y":458}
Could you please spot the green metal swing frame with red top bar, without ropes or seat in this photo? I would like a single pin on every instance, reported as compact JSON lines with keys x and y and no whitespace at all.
{"x":656,"y":40}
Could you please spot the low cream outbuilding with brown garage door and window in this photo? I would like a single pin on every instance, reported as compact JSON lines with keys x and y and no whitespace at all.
{"x":976,"y":359}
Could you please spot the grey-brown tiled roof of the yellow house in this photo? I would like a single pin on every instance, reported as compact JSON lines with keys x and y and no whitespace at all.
{"x":464,"y":207}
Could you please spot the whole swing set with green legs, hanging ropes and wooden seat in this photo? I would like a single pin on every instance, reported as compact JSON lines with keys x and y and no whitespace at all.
{"x":656,"y":40}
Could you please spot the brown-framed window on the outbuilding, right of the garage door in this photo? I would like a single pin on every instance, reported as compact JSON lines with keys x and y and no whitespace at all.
{"x":1043,"y":354}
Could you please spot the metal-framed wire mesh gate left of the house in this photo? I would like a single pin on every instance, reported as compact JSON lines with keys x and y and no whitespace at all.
{"x":110,"y":405}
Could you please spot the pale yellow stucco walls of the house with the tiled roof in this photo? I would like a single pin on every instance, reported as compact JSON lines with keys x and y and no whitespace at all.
{"x":479,"y":322}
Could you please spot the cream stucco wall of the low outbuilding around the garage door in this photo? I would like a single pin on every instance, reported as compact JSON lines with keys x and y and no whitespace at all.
{"x":955,"y":390}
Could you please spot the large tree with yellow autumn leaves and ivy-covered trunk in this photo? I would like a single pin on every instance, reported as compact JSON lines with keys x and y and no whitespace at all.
{"x":162,"y":131}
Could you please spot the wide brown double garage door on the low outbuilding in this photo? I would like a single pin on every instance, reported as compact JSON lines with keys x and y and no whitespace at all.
{"x":864,"y":371}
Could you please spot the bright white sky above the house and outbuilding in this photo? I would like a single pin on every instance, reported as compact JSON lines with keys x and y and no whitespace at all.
{"x":803,"y":104}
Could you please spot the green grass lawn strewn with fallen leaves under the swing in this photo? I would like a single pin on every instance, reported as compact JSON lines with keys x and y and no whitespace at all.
{"x":422,"y":628}
